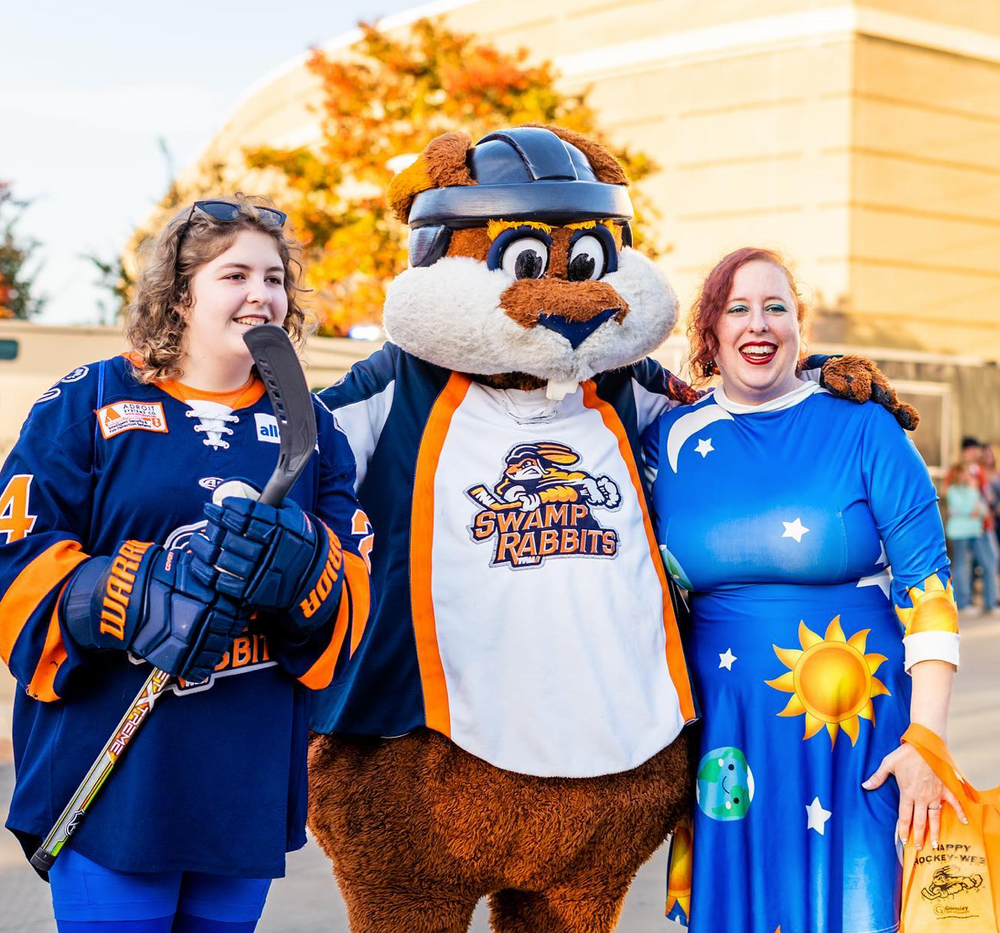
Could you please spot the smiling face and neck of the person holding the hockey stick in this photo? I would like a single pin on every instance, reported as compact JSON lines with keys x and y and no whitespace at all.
{"x":240,"y":288}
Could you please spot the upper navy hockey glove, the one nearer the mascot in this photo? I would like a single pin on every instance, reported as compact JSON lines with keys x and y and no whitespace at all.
{"x":279,"y":560}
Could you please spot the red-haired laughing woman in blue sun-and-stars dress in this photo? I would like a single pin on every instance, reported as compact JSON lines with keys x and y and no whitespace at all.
{"x":781,"y":509}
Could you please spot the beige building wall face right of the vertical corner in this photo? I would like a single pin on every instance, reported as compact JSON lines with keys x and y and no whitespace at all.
{"x":925,"y":220}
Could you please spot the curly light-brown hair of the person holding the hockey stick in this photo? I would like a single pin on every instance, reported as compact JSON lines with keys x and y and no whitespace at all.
{"x":154,"y":319}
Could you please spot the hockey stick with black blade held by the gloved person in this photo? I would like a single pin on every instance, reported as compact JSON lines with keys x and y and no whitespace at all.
{"x":281,"y":372}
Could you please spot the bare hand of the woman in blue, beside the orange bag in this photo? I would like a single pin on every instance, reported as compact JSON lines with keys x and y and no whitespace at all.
{"x":921,"y":794}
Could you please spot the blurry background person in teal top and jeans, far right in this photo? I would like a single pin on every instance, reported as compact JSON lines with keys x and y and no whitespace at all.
{"x":967,"y":509}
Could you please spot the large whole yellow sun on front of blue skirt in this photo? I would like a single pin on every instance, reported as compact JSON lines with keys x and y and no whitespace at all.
{"x":832,"y":680}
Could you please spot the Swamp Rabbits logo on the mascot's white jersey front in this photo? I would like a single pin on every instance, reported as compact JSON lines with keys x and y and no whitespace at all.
{"x":542,"y":506}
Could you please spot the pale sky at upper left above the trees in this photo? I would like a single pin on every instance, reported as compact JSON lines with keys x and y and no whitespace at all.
{"x":88,"y":90}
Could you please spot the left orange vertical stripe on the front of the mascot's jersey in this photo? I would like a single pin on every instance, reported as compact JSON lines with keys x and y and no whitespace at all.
{"x":436,"y":711}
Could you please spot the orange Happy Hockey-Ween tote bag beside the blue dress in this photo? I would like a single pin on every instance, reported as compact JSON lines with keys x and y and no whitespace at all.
{"x":955,"y":887}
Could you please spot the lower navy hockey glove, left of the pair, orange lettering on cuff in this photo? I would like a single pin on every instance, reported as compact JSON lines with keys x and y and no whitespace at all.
{"x":146,"y":600}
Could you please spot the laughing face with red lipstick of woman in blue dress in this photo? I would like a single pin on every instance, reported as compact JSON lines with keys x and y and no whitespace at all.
{"x":758,"y":335}
